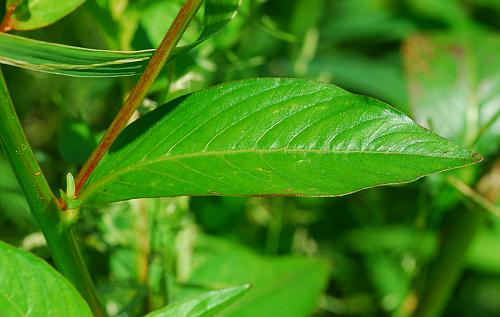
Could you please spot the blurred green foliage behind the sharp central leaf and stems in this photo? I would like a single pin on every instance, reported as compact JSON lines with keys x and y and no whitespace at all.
{"x":366,"y":254}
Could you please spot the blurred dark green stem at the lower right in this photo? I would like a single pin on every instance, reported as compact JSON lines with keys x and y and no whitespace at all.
{"x":449,"y":264}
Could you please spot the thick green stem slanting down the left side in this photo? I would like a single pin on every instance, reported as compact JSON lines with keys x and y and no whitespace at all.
{"x":55,"y":224}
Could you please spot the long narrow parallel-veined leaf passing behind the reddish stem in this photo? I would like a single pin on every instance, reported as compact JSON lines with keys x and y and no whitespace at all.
{"x":80,"y":62}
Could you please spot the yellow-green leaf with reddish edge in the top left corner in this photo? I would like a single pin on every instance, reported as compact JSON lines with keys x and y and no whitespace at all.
{"x":34,"y":14}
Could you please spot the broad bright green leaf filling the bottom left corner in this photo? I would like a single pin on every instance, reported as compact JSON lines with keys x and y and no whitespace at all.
{"x":30,"y":287}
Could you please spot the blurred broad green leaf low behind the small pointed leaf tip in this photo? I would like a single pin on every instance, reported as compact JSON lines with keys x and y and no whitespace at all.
{"x":286,"y":286}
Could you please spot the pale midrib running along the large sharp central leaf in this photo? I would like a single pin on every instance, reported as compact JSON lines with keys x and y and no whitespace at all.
{"x":103,"y":180}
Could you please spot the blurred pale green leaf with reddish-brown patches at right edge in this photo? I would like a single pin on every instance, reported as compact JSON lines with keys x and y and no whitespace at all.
{"x":454,"y":86}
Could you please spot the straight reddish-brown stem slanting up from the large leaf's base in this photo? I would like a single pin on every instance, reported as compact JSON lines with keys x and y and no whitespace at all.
{"x":140,"y":90}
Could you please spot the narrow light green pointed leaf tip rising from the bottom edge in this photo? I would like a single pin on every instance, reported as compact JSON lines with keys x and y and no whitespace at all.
{"x":203,"y":305}
